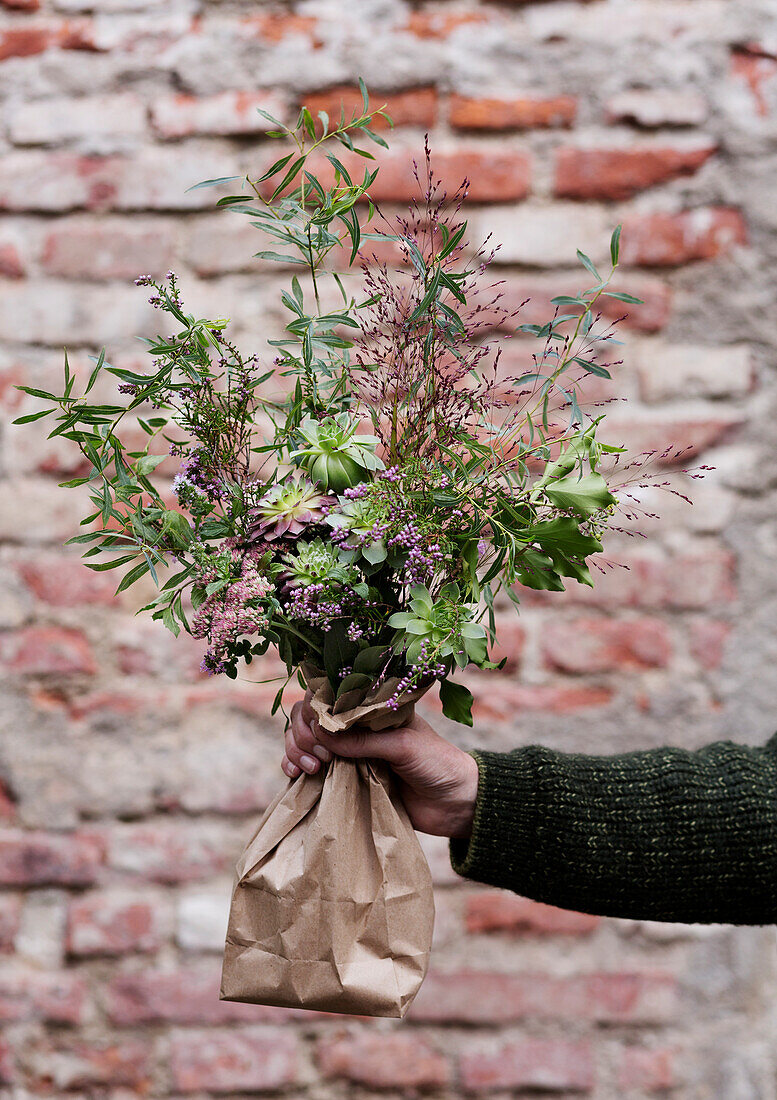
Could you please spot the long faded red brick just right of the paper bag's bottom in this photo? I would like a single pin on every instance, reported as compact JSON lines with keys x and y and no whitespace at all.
{"x":483,"y":997}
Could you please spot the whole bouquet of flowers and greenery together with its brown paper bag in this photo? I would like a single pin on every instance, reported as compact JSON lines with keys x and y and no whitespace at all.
{"x":360,"y":505}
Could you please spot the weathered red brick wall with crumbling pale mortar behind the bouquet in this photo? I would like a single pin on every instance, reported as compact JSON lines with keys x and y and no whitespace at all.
{"x":130,"y":783}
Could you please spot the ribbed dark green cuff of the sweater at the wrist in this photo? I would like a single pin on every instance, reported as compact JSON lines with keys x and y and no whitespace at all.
{"x":505,"y":808}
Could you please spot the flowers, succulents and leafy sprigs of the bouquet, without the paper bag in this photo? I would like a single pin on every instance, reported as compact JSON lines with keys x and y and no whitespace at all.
{"x":364,"y":523}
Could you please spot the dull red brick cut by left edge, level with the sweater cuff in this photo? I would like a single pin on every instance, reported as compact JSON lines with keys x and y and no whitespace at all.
{"x":39,"y":860}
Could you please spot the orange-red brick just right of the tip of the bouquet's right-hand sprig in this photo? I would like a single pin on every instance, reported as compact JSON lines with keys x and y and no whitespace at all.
{"x":667,"y":240}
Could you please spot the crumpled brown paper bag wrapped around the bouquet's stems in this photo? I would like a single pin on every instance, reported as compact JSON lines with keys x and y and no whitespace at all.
{"x":333,"y":905}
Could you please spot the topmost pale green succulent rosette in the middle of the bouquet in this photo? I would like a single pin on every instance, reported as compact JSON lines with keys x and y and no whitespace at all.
{"x":334,"y":455}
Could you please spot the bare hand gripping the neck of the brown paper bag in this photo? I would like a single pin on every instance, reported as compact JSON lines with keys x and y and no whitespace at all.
{"x":437,"y":782}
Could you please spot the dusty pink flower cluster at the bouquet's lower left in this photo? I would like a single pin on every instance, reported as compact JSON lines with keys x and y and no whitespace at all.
{"x":237,"y":610}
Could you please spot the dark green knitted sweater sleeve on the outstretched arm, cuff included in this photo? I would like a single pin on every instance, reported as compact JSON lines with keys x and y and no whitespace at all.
{"x":663,"y":835}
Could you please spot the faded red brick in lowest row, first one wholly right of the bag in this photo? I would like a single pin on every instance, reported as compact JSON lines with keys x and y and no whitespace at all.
{"x":549,"y":1065}
